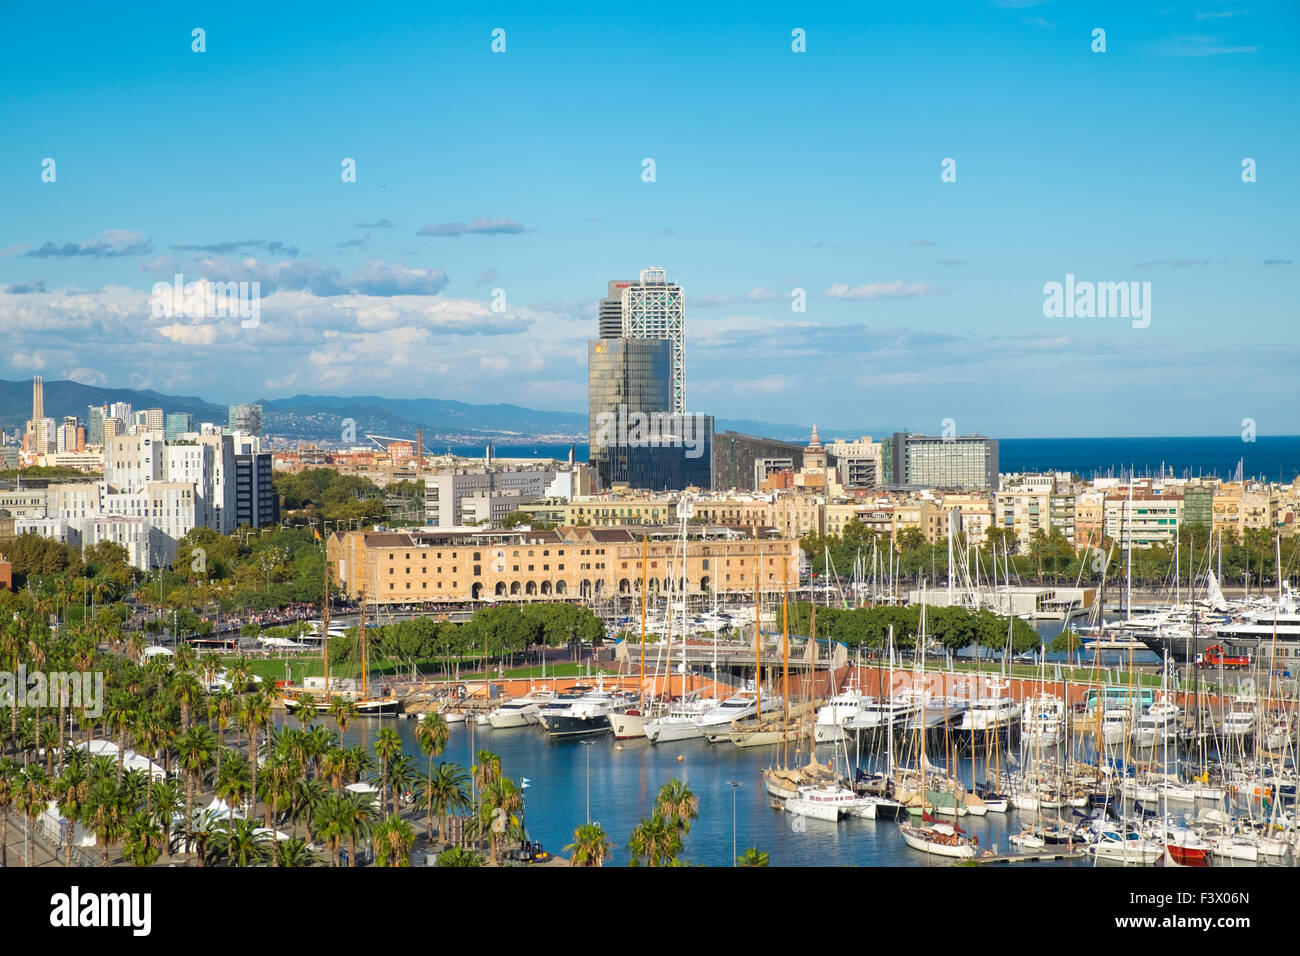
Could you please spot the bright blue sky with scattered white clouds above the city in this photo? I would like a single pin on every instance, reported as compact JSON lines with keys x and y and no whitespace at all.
{"x":775,"y":171}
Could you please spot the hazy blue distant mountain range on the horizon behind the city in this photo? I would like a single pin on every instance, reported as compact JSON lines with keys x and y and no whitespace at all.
{"x":320,"y":418}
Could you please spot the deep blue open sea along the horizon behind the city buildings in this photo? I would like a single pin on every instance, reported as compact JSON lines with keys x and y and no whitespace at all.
{"x":1275,"y":458}
